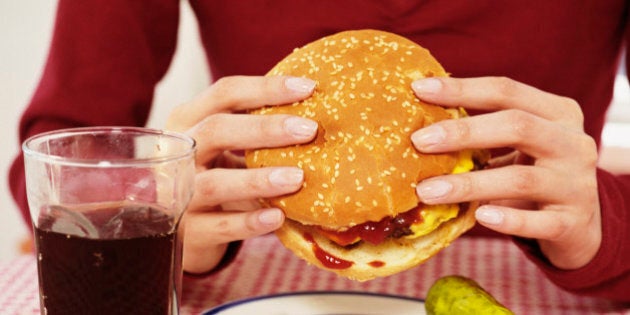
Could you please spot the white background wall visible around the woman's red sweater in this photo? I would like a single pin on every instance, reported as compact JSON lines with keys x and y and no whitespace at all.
{"x":25,"y":29}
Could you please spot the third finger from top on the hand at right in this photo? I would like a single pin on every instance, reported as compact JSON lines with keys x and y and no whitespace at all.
{"x":511,"y":182}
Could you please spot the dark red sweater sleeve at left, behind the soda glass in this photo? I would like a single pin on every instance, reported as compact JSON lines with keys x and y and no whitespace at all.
{"x":104,"y":61}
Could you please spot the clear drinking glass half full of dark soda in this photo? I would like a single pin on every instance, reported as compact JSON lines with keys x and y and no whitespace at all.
{"x":106,"y":204}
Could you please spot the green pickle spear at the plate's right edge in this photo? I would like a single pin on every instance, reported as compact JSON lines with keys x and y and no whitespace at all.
{"x":457,"y":295}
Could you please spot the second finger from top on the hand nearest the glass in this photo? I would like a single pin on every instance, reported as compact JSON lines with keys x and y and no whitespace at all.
{"x":220,"y":132}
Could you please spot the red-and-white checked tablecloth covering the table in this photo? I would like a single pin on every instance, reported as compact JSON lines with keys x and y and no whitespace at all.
{"x":265,"y":267}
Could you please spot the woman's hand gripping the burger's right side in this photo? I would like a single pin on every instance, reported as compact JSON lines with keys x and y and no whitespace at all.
{"x":545,"y":189}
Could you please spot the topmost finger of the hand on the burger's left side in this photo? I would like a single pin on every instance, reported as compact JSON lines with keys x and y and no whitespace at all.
{"x":236,"y":93}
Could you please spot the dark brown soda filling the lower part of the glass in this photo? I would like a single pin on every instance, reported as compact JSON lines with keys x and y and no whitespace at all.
{"x":108,"y":259}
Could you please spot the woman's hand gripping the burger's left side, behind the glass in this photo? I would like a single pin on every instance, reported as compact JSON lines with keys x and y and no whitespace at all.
{"x":223,"y":208}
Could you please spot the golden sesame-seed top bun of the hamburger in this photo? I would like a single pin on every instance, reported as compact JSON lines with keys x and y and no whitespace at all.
{"x":361,"y":166}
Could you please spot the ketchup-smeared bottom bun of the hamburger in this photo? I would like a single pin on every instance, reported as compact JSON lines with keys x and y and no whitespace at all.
{"x":366,"y":261}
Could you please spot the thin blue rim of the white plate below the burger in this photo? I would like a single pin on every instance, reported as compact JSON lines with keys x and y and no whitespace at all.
{"x":228,"y":305}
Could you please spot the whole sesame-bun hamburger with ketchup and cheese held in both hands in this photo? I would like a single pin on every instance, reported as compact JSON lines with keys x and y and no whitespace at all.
{"x":357,"y":213}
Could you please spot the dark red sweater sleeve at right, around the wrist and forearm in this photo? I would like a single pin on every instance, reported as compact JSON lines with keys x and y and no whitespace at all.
{"x":608,"y":274}
